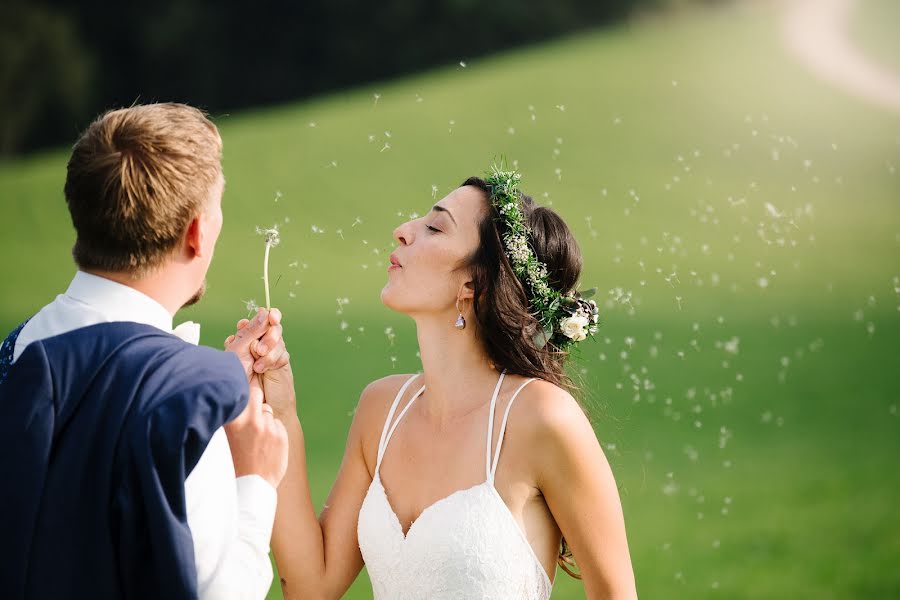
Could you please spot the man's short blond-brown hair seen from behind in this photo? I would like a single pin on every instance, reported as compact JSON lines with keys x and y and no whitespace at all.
{"x":136,"y":178}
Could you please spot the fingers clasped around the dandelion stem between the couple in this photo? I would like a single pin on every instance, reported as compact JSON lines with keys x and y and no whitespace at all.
{"x":258,"y":343}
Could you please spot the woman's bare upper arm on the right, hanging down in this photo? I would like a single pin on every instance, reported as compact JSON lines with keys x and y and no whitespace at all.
{"x":578,"y":486}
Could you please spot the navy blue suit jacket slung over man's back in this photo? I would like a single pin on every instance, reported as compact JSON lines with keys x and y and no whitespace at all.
{"x":99,"y":428}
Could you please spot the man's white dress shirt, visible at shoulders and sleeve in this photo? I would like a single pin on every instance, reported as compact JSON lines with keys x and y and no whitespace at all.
{"x":230,"y":518}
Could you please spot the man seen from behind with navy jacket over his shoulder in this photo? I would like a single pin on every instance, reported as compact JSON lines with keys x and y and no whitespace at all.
{"x":119,"y":479}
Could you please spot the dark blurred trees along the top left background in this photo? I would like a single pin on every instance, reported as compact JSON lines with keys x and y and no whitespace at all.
{"x":227,"y":54}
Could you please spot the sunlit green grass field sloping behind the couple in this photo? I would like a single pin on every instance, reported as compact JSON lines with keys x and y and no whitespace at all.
{"x":740,"y":218}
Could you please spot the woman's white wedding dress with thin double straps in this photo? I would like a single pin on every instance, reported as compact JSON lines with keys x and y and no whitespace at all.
{"x":464,"y":546}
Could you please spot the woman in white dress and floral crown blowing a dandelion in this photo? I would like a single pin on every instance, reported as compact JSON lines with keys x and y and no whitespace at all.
{"x":477,"y":477}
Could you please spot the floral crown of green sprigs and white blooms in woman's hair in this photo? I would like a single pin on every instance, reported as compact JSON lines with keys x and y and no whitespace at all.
{"x":565,"y":318}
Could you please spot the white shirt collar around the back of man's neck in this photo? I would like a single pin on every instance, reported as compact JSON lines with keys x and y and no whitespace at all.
{"x":117,"y":301}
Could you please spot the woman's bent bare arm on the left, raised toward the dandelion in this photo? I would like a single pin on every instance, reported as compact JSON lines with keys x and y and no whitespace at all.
{"x":319,"y":558}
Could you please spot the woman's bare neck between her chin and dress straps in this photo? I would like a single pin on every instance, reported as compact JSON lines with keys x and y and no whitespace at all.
{"x":458,"y":375}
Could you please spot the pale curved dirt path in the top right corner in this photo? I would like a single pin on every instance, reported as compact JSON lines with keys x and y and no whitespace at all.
{"x":815,"y":32}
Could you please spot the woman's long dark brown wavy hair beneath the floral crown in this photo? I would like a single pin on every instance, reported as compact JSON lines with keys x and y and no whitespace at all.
{"x":505,"y":324}
